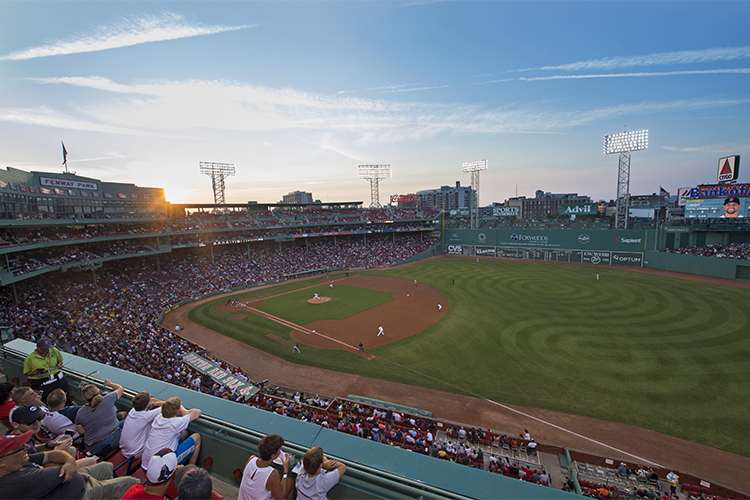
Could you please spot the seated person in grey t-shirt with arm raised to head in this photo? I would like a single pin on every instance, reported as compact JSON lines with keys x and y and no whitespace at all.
{"x":97,"y":421}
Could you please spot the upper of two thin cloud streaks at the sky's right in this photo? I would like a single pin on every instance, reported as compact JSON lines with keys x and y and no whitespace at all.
{"x":661,"y":58}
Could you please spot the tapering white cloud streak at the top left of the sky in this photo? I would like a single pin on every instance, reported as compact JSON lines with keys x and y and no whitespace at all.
{"x":134,"y":30}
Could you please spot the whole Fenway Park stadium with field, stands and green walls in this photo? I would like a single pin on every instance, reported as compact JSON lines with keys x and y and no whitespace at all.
{"x":435,"y":360}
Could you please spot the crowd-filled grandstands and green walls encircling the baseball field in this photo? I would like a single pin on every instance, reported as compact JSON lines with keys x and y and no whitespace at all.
{"x":98,"y":277}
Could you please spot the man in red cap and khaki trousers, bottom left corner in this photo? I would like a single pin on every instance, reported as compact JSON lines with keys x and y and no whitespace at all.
{"x":53,"y":474}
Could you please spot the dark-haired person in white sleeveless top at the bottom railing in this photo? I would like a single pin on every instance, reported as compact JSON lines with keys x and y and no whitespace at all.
{"x":260,"y":481}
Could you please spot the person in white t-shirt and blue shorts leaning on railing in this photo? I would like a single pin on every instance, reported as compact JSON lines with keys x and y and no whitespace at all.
{"x":169,"y":430}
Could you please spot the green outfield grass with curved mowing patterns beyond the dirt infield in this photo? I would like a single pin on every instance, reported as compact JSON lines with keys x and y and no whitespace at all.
{"x":661,"y":353}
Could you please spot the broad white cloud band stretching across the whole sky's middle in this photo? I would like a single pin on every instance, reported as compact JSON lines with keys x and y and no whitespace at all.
{"x":340,"y":124}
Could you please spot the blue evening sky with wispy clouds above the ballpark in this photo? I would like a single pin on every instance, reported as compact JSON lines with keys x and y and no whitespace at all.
{"x":298,"y":94}
